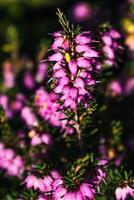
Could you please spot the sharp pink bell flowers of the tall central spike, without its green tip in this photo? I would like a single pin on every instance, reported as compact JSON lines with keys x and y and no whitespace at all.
{"x":75,"y":59}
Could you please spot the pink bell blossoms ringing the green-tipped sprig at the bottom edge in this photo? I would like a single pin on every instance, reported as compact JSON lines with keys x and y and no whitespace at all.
{"x":55,"y":187}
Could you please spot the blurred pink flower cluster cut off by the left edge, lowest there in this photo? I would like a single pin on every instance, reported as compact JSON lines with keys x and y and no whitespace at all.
{"x":10,"y":162}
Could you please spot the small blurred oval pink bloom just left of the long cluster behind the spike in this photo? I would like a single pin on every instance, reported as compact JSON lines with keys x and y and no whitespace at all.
{"x":29,"y":117}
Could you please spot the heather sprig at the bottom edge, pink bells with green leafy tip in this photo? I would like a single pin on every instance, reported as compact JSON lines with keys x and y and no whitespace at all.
{"x":75,"y":185}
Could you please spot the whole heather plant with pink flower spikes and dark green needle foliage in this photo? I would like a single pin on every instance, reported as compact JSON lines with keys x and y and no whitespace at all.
{"x":59,"y":140}
